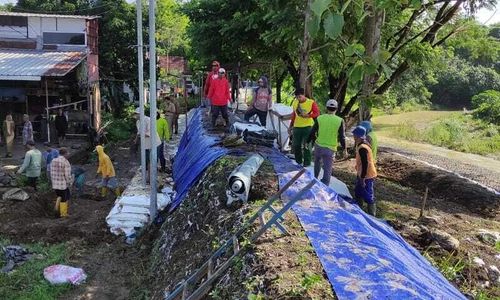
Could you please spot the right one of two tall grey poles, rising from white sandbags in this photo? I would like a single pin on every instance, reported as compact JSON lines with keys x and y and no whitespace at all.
{"x":152,"y":92}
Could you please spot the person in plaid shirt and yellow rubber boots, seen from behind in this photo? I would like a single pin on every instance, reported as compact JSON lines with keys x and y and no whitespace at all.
{"x":62,"y":180}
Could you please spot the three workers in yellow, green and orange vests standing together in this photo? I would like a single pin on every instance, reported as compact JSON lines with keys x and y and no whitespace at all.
{"x":325,"y":131}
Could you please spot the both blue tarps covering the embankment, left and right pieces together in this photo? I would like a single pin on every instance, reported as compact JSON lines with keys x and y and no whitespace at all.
{"x":363,"y":257}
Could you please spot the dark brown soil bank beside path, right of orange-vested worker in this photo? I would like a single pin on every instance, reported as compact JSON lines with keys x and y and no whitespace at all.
{"x":440,"y":183}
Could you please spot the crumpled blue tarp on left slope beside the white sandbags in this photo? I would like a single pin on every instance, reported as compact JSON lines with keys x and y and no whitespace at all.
{"x":197,"y":151}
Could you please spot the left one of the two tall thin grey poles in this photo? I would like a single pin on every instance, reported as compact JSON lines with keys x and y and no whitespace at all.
{"x":140,"y":64}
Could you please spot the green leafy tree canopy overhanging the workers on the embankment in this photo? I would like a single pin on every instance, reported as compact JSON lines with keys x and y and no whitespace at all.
{"x":413,"y":32}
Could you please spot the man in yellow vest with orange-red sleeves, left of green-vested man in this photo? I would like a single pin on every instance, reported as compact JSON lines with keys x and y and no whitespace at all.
{"x":304,"y":112}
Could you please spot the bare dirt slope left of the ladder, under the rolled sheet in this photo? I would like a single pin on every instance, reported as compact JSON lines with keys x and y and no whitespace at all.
{"x":201,"y":223}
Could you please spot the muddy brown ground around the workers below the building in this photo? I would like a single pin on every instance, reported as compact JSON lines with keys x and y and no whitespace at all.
{"x":109,"y":263}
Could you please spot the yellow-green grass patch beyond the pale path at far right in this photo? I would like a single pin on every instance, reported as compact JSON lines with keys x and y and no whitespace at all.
{"x":457,"y":132}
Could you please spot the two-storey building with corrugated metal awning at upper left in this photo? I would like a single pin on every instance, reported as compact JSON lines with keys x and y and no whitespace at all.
{"x":47,"y":63}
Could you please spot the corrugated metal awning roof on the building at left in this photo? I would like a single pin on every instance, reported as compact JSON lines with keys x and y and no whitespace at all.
{"x":32,"y":65}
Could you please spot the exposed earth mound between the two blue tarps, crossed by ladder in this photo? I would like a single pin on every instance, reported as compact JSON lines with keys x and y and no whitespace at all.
{"x":276,"y":267}
